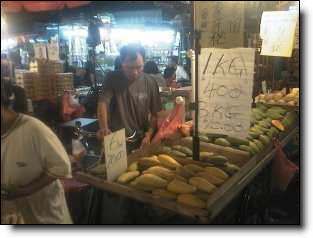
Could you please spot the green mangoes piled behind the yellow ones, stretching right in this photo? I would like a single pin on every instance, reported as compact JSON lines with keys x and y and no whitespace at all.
{"x":266,"y":122}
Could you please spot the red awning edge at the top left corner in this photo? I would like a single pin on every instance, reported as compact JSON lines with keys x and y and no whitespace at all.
{"x":39,"y":6}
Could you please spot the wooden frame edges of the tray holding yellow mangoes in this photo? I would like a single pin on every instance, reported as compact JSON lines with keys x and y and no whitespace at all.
{"x":200,"y":215}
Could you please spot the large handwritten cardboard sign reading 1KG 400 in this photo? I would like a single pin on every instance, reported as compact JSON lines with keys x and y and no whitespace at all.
{"x":225,"y":91}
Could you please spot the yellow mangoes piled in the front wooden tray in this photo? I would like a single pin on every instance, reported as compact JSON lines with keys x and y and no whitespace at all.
{"x":164,"y":177}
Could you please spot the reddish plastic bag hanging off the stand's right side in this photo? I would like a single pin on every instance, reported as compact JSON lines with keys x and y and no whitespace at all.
{"x":283,"y":169}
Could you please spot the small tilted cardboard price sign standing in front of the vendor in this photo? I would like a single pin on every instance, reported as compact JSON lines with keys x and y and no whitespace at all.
{"x":115,"y":154}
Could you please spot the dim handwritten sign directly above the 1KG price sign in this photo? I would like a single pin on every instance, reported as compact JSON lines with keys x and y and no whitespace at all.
{"x":219,"y":26}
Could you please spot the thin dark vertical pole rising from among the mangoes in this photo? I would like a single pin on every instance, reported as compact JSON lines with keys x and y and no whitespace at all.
{"x":196,"y":47}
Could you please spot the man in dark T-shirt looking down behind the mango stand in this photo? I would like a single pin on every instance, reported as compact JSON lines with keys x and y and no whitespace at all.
{"x":130,"y":99}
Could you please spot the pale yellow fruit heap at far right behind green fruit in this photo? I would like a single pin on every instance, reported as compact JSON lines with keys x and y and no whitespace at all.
{"x":280,"y":98}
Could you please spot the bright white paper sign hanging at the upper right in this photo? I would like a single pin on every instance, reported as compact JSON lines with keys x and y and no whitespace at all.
{"x":278,"y":32}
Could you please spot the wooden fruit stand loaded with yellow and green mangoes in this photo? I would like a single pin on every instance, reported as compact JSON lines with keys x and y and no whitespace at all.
{"x":202,"y":202}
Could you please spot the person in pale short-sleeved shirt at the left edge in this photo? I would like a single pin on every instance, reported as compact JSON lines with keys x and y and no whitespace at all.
{"x":32,"y":162}
